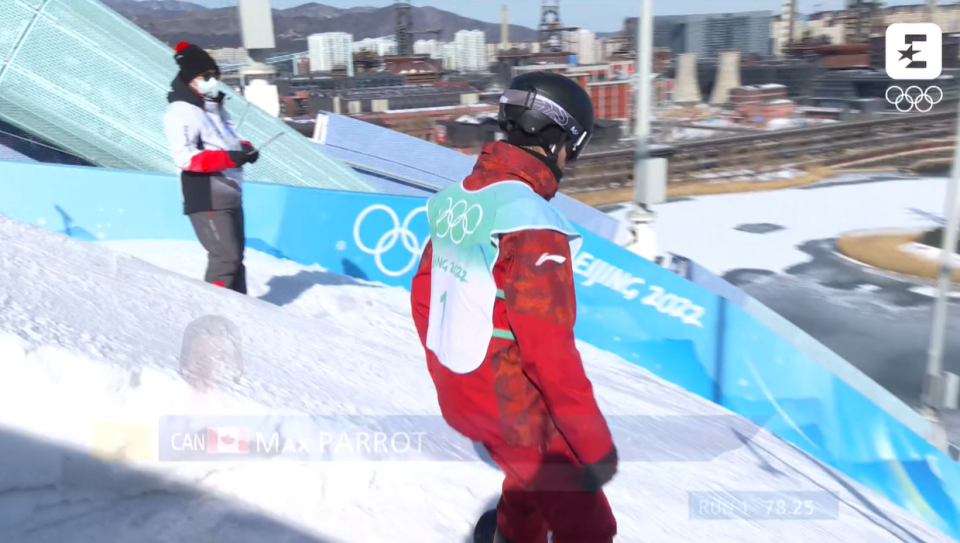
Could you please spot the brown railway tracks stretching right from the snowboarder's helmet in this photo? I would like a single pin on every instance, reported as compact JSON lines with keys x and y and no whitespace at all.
{"x":690,"y":160}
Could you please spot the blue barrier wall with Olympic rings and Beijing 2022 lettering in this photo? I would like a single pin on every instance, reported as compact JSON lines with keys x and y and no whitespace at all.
{"x":627,"y":305}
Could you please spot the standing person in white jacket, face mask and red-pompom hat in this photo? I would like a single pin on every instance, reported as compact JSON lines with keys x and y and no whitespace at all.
{"x":211,"y":157}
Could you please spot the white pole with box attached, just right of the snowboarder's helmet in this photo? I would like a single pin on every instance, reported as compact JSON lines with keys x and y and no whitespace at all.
{"x":649,"y":184}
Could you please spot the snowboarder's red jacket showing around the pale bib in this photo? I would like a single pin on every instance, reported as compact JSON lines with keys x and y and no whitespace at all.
{"x":531,"y":391}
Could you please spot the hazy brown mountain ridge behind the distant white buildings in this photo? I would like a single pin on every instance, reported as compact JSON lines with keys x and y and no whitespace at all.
{"x":172,"y":21}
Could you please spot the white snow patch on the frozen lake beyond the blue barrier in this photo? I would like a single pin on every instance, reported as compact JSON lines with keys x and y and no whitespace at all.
{"x":711,"y":229}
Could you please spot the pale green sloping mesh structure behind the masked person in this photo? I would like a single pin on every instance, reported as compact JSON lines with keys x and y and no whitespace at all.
{"x":83,"y":78}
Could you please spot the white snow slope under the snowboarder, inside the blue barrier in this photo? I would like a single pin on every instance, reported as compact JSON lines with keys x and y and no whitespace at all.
{"x":88,"y":333}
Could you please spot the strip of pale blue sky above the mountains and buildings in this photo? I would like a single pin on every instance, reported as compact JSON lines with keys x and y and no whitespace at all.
{"x":597,"y":15}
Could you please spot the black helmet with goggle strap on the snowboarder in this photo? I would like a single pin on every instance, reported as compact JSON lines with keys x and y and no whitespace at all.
{"x":551,"y":109}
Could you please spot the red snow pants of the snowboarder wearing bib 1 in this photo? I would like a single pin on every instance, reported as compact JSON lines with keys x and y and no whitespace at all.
{"x":542,"y":492}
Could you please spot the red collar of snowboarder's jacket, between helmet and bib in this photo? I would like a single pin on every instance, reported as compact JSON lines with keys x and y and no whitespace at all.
{"x":501,"y":161}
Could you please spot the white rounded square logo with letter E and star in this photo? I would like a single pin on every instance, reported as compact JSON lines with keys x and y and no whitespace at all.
{"x":914,"y":51}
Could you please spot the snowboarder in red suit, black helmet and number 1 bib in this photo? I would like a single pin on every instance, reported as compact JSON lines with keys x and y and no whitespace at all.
{"x":529,"y":402}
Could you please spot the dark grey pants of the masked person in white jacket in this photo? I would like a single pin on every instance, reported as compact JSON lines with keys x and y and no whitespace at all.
{"x":221,"y":233}
